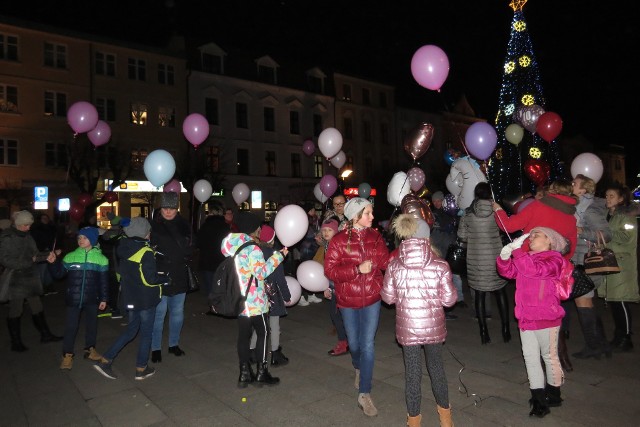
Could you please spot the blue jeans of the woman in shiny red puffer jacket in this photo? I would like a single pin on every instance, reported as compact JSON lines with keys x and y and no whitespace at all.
{"x":361,"y":325}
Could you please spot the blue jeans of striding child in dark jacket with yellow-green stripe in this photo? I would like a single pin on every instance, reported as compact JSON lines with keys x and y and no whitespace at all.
{"x":139,"y":320}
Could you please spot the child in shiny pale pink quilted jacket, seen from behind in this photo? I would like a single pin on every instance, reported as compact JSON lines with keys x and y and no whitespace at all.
{"x":419,"y":283}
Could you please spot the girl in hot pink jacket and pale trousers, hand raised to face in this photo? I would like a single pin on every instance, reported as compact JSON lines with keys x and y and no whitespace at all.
{"x":538,"y":309}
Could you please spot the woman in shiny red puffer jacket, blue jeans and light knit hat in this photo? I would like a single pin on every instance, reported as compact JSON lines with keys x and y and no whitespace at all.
{"x":355,"y":260}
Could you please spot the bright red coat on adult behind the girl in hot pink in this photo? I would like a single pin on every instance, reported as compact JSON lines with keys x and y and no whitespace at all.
{"x":539,"y":214}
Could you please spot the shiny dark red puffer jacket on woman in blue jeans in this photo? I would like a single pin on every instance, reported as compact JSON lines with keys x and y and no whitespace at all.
{"x":355,"y":290}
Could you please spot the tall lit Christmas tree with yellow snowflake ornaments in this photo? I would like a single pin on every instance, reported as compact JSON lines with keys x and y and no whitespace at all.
{"x":520,"y":167}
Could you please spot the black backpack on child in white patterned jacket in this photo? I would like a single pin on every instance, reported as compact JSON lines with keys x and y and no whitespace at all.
{"x":226,"y":298}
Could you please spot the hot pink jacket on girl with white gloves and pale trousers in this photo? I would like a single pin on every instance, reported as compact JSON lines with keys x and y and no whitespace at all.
{"x":537,"y":300}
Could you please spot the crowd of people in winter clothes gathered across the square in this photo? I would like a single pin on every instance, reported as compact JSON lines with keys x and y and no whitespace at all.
{"x":140,"y":267}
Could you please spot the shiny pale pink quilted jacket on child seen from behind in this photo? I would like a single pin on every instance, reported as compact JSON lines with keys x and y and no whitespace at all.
{"x":419,"y":283}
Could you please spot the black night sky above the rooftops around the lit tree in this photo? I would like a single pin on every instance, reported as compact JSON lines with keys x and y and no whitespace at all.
{"x":584,"y":49}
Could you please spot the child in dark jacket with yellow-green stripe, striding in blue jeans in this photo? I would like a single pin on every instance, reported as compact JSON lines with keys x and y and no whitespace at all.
{"x":141,"y":291}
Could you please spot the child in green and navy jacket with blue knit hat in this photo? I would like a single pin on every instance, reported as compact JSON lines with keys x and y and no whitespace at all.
{"x":87,"y":288}
